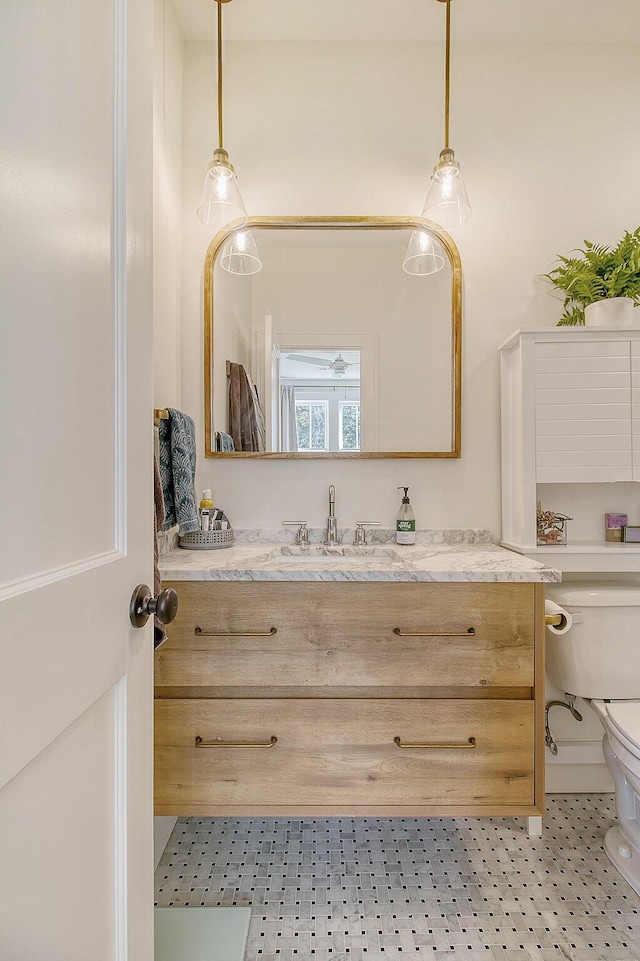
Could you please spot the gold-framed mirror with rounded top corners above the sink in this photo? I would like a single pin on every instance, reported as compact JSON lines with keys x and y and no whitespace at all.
{"x":327,"y":347}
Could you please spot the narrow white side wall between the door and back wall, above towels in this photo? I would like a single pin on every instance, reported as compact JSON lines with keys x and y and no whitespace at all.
{"x":167,"y":200}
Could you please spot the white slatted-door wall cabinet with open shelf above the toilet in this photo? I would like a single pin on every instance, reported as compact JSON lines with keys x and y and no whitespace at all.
{"x":571,"y":415}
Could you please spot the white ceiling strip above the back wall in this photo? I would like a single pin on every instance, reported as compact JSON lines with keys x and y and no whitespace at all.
{"x":577,"y":21}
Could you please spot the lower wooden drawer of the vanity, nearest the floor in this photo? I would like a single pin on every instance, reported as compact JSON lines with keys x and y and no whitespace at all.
{"x":341,"y":754}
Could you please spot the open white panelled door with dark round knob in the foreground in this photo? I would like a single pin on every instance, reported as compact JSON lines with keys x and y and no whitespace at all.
{"x":75,"y":480}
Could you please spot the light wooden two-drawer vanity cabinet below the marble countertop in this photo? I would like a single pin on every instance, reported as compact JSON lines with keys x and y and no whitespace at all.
{"x":327,"y":698}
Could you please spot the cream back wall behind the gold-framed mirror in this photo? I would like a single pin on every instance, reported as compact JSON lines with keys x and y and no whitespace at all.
{"x":549,"y":155}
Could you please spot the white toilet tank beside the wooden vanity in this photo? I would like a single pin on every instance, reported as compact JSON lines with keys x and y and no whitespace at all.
{"x":599,"y":657}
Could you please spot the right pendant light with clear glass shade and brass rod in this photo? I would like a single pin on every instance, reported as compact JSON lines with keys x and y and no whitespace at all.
{"x":447,"y":202}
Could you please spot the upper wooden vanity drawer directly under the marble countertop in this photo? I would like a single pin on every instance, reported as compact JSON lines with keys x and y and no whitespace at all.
{"x":325,"y":635}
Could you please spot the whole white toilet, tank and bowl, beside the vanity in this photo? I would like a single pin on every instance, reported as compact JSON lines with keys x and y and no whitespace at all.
{"x":598,"y":659}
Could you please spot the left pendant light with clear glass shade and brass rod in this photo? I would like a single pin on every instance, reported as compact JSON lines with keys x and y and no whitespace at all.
{"x":221,"y":201}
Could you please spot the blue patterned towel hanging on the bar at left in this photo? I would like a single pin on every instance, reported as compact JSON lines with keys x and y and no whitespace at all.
{"x":178,"y":472}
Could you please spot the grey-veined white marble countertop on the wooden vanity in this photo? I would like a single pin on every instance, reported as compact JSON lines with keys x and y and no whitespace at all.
{"x":436,"y":556}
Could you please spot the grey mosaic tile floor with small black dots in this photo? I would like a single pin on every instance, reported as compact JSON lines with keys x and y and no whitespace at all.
{"x":383,"y":889}
